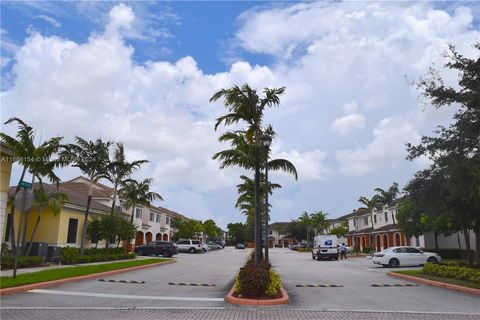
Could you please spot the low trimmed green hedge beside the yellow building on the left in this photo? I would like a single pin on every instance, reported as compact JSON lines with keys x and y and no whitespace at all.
{"x":70,"y":255}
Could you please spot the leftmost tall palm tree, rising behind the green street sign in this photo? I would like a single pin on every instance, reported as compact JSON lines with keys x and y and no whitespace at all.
{"x":27,"y":155}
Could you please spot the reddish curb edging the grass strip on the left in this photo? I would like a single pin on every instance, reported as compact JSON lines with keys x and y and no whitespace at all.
{"x":27,"y":287}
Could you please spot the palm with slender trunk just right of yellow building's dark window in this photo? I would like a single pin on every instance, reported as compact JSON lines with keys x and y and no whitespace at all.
{"x":91,"y":157}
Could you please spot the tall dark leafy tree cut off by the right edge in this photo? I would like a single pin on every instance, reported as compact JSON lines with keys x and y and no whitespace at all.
{"x":454,"y":150}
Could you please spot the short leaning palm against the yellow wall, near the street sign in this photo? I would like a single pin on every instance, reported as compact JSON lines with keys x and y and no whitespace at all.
{"x":53,"y":201}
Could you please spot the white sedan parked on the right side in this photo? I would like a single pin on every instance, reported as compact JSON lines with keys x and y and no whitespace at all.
{"x":404,"y":256}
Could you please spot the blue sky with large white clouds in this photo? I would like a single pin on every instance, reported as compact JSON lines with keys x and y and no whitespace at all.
{"x":142,"y":73}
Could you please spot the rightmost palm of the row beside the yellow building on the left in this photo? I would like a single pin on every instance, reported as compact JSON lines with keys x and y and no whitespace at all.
{"x":138,"y":193}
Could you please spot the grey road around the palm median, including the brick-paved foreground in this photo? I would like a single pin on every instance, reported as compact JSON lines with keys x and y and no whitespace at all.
{"x":355,"y":296}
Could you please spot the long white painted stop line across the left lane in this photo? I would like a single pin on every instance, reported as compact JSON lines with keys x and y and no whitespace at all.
{"x":124,"y":296}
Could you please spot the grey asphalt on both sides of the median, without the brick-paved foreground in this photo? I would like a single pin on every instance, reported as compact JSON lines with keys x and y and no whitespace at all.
{"x":338,"y":286}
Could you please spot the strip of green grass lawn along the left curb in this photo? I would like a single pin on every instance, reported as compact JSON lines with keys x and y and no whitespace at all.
{"x":62,"y":273}
